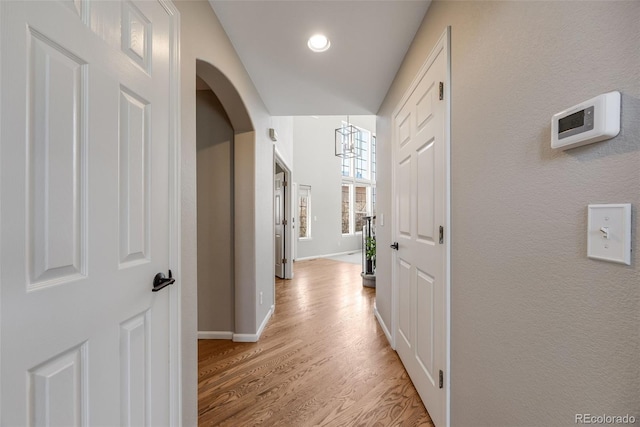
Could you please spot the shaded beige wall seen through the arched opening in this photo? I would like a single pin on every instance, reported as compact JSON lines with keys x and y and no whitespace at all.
{"x":215,"y":215}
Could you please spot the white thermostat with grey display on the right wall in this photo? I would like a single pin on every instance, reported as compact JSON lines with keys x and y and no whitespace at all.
{"x":591,"y":121}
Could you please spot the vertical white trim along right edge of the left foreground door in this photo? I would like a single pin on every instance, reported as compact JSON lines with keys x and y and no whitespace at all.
{"x":175,"y":206}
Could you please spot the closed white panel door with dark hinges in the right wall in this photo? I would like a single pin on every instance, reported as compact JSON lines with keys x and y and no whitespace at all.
{"x":420,"y":171}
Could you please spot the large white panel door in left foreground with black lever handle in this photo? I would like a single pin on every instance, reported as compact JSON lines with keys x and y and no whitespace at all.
{"x":85,"y":201}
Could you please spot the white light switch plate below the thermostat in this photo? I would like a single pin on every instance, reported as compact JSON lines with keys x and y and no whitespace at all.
{"x":609,"y":233}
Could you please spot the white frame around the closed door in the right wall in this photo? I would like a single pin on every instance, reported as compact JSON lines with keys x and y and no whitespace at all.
{"x":443,"y":43}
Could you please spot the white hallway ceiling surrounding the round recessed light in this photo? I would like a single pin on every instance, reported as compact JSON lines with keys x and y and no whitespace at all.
{"x":368,"y":42}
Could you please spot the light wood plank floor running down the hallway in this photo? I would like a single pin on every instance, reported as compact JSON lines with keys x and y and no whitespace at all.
{"x":322,"y":360}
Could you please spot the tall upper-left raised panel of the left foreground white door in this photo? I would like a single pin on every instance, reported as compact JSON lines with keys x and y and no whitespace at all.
{"x":56,"y":163}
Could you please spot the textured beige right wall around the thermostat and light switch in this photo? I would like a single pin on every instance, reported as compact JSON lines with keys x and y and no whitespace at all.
{"x":539,"y":331}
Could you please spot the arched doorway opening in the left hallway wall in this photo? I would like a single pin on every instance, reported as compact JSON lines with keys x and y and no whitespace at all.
{"x":222,"y":130}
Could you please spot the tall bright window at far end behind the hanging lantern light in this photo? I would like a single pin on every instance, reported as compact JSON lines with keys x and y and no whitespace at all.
{"x":358,"y":184}
